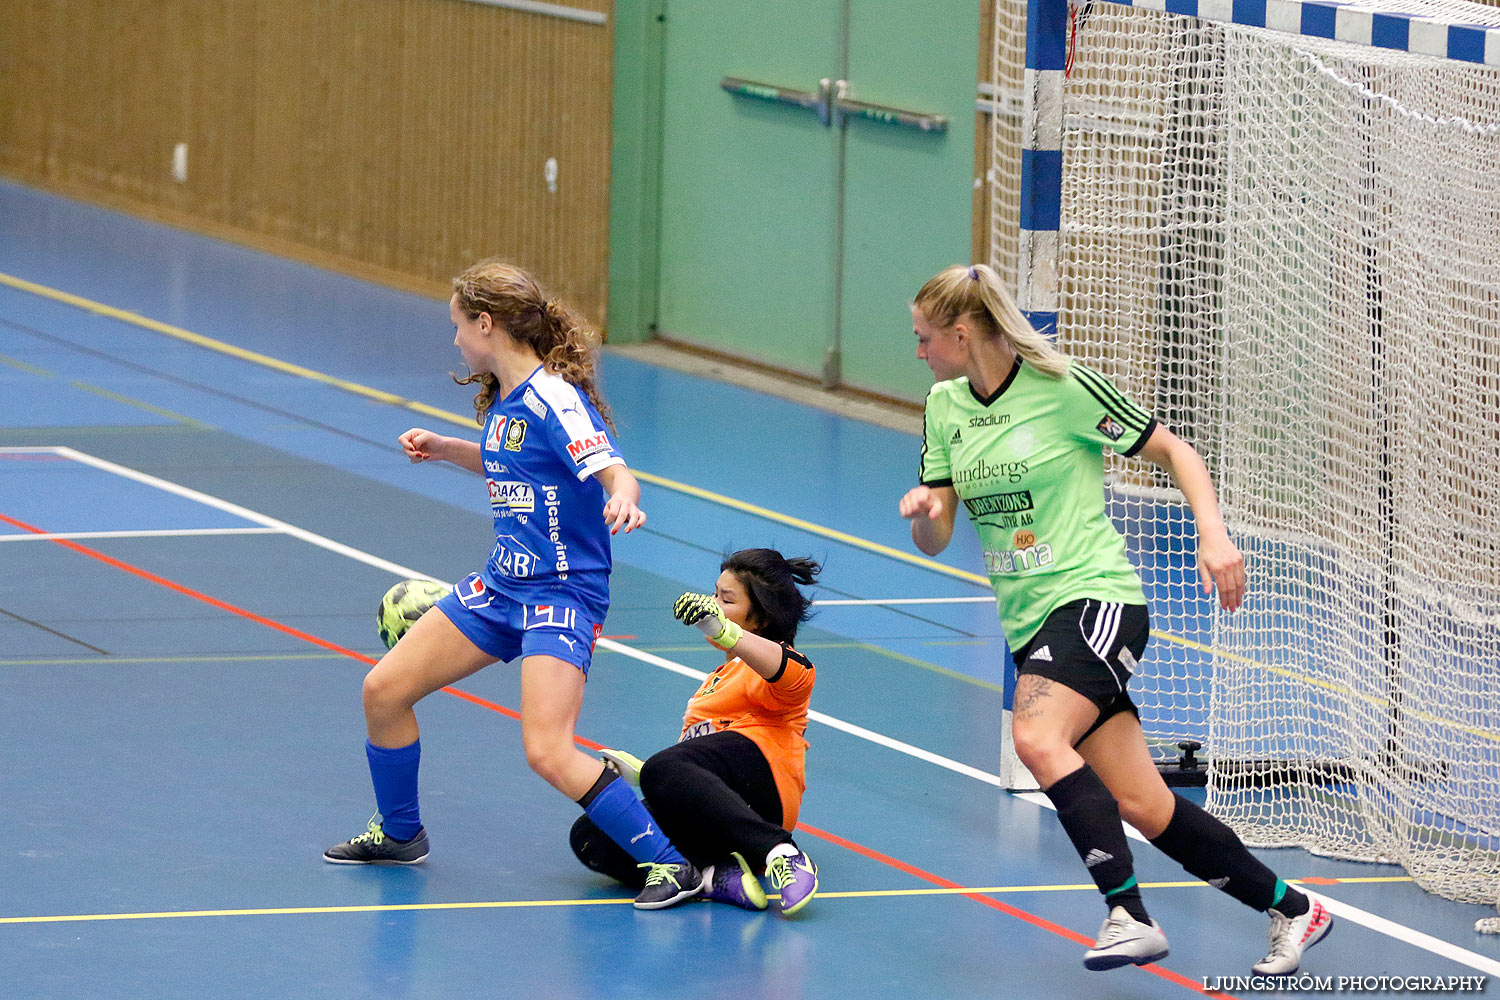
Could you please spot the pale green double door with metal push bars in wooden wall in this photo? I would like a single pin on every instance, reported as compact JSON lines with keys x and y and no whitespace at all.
{"x":797,"y":235}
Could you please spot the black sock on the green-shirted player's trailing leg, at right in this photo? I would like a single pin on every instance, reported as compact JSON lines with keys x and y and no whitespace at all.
{"x":1214,"y":854}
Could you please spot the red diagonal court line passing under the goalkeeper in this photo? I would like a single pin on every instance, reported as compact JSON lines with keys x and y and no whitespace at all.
{"x":509,"y":713}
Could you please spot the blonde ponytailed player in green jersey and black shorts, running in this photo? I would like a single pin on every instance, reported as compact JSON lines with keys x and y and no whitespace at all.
{"x":1016,"y":434}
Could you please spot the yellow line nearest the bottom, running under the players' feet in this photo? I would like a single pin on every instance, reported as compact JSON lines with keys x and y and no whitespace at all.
{"x":523,"y":905}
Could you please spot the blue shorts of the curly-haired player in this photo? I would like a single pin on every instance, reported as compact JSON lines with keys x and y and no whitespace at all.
{"x":506,"y":629}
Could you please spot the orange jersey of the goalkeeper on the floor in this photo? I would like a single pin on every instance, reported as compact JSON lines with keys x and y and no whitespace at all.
{"x":773,"y":714}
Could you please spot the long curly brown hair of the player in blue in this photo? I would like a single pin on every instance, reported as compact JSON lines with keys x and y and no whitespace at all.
{"x":514,"y":299}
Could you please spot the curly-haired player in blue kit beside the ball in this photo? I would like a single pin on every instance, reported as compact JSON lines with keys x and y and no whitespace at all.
{"x":559,"y":490}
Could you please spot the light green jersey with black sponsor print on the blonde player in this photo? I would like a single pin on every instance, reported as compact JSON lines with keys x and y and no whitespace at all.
{"x":1028,"y":464}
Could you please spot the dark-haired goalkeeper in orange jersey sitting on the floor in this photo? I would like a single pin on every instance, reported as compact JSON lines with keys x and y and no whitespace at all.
{"x":730,"y":789}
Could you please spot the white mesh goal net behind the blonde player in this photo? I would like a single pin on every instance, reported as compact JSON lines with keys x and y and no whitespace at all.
{"x":1289,"y":250}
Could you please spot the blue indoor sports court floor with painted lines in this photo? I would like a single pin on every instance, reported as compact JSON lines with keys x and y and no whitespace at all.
{"x":202,"y":500}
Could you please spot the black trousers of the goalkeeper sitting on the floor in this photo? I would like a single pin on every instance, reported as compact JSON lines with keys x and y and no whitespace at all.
{"x":712,"y":795}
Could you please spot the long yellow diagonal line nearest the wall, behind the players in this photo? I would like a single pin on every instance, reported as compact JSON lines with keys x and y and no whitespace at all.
{"x":467,"y":422}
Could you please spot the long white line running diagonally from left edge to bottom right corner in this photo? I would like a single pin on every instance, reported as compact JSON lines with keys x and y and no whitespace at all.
{"x":1351,"y":914}
